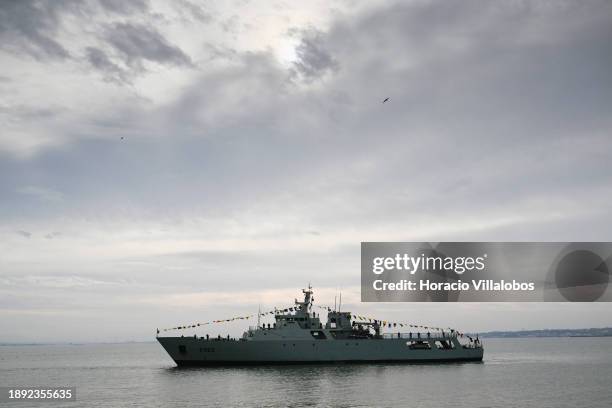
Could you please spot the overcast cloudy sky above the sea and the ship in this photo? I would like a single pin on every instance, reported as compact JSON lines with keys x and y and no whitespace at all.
{"x":169,"y":162}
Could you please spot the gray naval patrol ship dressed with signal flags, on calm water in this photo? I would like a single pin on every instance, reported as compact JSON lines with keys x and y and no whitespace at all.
{"x":299,"y":337}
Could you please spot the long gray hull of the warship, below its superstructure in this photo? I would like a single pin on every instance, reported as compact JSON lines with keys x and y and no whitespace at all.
{"x":190,"y":351}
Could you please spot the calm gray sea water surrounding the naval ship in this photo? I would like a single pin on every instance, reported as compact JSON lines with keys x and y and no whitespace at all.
{"x":541,"y":372}
